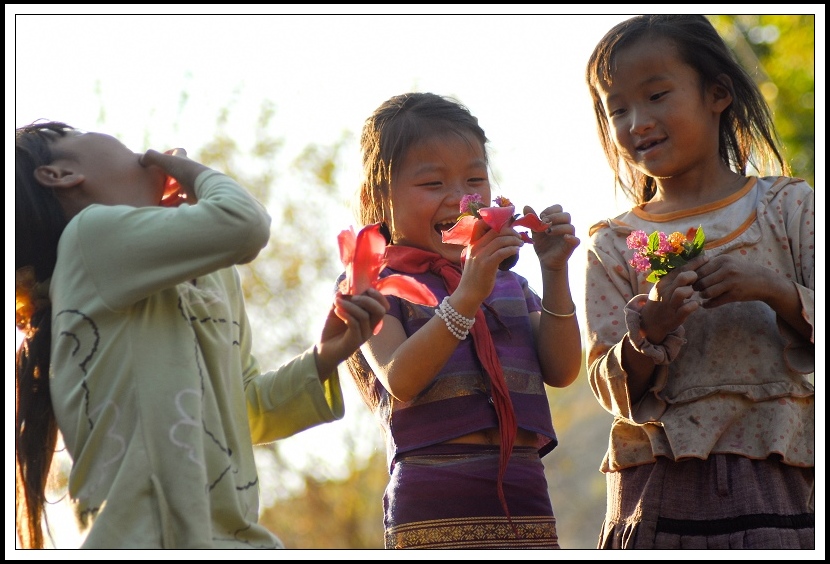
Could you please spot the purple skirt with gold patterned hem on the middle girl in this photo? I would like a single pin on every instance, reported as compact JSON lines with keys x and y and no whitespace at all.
{"x":445,"y":496}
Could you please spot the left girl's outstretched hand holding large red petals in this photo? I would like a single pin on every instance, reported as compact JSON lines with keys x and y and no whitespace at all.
{"x":350,"y":322}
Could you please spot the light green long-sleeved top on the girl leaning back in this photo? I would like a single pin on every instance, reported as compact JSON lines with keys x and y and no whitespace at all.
{"x":155,"y":390}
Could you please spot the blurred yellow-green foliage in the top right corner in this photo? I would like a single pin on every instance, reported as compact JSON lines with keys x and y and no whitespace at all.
{"x":779,"y":52}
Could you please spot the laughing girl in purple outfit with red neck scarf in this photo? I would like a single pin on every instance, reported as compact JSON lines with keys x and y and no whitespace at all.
{"x":460,"y":390}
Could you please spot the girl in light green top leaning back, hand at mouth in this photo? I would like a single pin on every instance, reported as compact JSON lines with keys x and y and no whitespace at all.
{"x":137,"y":347}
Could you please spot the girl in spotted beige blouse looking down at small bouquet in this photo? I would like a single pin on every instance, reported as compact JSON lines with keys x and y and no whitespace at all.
{"x":709,"y":371}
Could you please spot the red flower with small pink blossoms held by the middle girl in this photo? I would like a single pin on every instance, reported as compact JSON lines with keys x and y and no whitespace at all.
{"x":477,"y":217}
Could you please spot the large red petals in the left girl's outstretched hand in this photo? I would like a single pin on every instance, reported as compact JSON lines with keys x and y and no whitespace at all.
{"x":363,"y":257}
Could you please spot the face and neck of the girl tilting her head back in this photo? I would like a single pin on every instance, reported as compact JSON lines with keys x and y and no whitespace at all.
{"x":111,"y":173}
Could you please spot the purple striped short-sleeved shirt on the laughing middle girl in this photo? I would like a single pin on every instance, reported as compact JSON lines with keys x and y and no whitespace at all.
{"x":457,"y":402}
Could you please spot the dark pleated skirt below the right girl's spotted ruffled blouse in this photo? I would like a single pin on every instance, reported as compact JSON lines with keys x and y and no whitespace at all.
{"x":724,"y":502}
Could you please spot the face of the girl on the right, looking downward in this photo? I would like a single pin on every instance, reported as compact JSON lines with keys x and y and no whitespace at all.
{"x":662,"y":118}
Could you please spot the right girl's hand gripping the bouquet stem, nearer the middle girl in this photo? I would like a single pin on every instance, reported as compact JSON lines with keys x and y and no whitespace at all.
{"x":670,"y":301}
